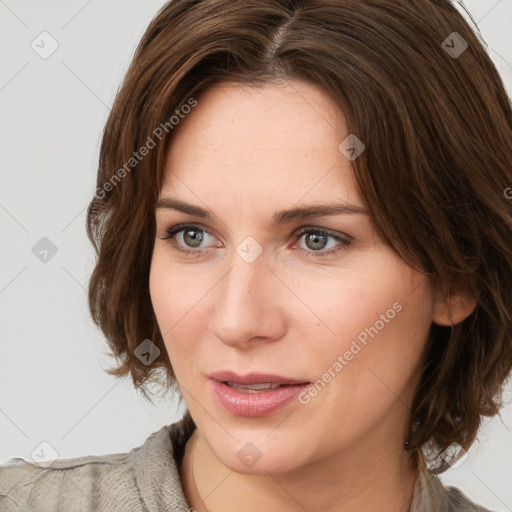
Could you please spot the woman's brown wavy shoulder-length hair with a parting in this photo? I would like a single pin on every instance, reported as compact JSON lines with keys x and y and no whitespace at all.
{"x":436,"y":173}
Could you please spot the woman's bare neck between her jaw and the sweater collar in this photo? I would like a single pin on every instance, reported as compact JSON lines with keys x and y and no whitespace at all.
{"x":362,"y":478}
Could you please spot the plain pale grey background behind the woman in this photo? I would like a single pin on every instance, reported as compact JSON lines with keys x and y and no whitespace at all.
{"x":52,"y":385}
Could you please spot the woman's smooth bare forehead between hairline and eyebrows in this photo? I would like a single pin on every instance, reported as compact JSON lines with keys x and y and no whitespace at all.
{"x":261,"y":143}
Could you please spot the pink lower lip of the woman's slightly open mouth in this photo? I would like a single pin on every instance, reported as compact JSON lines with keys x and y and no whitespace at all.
{"x":262,"y":403}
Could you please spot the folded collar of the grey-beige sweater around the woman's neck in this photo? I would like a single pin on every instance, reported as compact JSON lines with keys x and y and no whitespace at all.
{"x":156,"y":472}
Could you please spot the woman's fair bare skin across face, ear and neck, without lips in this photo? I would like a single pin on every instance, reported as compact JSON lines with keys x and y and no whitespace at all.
{"x":244,"y":153}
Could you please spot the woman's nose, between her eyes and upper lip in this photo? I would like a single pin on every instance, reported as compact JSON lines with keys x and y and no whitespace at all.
{"x":247,"y":304}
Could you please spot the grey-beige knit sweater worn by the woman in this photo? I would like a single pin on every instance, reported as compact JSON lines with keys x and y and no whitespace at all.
{"x":146,"y":479}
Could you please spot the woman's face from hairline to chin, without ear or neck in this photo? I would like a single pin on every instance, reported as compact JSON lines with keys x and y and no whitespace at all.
{"x":318,"y":299}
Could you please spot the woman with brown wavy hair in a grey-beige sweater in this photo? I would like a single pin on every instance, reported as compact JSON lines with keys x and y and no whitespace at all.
{"x":302,"y":222}
